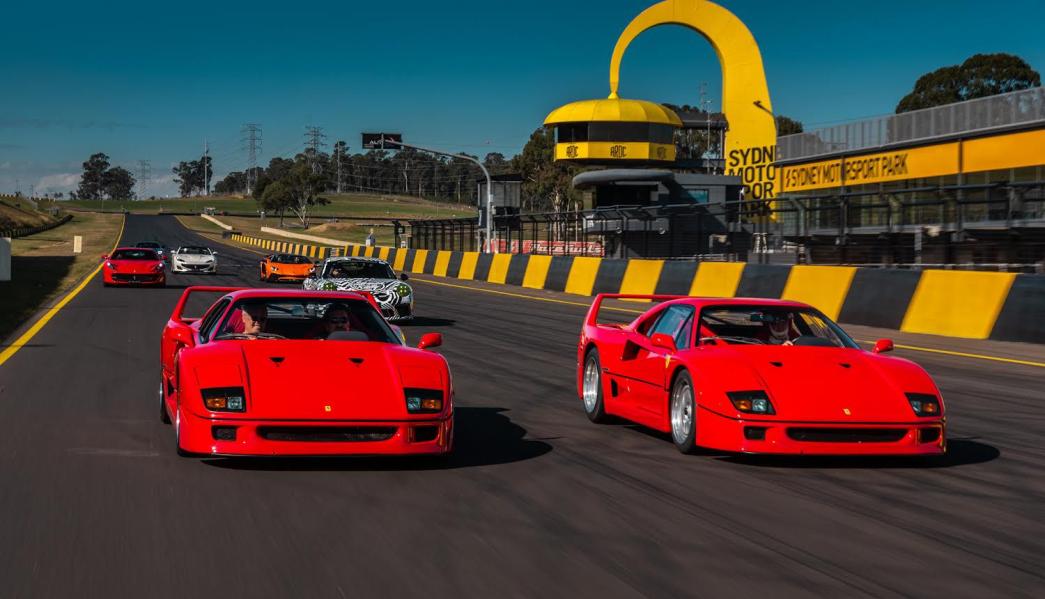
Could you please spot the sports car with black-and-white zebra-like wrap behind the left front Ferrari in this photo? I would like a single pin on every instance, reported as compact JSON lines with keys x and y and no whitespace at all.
{"x":357,"y":274}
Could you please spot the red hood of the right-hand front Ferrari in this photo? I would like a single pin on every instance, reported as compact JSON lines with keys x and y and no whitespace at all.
{"x":811,"y":384}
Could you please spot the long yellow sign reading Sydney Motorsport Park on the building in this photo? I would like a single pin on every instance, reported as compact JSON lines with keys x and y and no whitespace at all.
{"x":883,"y":168}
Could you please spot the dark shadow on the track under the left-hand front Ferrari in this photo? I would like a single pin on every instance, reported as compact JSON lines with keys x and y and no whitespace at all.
{"x":483,"y":437}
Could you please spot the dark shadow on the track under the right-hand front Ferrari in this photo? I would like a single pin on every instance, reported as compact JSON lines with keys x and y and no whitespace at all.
{"x":960,"y":453}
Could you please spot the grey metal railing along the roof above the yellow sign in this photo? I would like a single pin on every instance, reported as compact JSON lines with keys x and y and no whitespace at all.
{"x":1002,"y":111}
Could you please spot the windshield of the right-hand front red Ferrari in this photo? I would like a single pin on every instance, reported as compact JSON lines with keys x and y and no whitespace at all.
{"x":770,"y":326}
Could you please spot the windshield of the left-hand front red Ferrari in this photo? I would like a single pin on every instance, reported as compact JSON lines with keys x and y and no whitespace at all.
{"x":306,"y":319}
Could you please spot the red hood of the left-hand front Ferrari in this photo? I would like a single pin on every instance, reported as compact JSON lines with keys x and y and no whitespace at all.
{"x":320,"y":380}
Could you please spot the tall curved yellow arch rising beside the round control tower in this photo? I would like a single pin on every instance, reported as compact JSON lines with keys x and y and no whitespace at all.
{"x":751,"y":146}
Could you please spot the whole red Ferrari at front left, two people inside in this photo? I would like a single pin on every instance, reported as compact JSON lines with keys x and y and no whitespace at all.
{"x":273,"y":373}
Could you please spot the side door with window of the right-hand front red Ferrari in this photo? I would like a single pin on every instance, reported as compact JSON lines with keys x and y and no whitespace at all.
{"x":652,"y":368}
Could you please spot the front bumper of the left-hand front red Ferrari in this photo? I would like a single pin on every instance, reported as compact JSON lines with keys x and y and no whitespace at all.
{"x":199,"y":435}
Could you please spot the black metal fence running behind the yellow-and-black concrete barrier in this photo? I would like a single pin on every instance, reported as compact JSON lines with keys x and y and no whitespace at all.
{"x":997,"y":226}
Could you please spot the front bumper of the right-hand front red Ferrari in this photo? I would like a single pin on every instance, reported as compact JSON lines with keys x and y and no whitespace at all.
{"x":914,"y":439}
